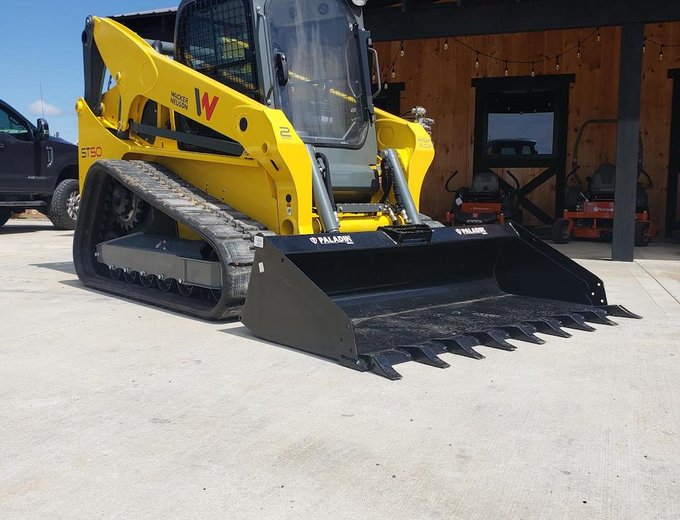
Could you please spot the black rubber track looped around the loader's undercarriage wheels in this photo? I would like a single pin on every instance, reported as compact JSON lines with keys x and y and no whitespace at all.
{"x":229,"y":232}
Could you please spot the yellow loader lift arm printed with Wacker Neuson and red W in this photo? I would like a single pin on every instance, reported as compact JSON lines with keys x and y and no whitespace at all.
{"x":142,"y":75}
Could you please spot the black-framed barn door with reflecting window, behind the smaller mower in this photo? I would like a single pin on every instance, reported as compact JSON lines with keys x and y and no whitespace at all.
{"x":521,"y":122}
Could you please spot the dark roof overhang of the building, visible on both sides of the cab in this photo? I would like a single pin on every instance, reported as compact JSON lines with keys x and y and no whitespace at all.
{"x":390,"y":20}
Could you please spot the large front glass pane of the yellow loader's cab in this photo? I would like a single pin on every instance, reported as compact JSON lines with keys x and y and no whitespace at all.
{"x":321,"y":96}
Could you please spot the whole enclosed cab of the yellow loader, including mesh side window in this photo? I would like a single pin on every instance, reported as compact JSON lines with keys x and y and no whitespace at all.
{"x":307,"y":58}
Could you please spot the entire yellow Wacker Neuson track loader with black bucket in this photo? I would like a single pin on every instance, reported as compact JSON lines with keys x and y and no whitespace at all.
{"x":242,"y":170}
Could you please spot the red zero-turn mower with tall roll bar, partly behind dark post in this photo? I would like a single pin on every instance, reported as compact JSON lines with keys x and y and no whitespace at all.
{"x":589,"y":213}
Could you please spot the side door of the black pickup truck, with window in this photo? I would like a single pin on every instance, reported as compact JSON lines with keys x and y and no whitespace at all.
{"x":19,"y":154}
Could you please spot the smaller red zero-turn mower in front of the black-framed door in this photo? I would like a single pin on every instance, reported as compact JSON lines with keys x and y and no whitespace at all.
{"x":485,"y":201}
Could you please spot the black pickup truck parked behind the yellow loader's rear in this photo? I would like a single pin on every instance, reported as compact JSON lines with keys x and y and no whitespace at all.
{"x":36,"y":171}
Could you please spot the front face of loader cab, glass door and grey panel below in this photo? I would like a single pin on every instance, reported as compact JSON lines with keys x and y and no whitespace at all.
{"x":319,"y":53}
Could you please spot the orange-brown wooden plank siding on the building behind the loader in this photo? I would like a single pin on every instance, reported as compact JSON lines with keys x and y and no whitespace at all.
{"x":439,"y":79}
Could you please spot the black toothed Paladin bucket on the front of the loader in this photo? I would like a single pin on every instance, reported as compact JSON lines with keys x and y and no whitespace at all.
{"x":372,"y":300}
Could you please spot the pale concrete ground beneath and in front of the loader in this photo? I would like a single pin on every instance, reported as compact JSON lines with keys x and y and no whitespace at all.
{"x":110,"y":409}
